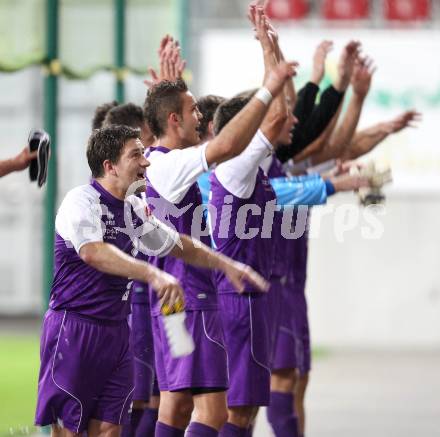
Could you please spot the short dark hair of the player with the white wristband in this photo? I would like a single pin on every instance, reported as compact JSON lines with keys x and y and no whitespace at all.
{"x":162,"y":100}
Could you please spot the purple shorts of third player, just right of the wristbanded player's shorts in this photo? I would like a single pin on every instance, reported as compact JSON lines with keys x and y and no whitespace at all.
{"x":247,"y":334}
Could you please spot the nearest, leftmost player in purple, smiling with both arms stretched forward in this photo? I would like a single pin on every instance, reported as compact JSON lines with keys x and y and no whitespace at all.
{"x":86,"y":378}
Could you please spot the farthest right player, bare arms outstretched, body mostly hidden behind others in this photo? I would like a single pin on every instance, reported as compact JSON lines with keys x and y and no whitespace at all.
{"x":344,"y":143}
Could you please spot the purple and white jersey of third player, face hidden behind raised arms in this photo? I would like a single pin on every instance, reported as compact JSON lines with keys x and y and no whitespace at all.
{"x":241,"y":194}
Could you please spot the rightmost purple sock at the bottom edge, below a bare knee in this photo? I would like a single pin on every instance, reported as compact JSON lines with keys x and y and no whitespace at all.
{"x":281,"y":416}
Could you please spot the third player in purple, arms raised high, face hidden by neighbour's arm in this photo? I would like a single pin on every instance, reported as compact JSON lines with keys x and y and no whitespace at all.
{"x":238,"y":186}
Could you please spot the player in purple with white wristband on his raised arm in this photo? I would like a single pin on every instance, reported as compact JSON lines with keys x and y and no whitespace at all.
{"x":172,"y":190}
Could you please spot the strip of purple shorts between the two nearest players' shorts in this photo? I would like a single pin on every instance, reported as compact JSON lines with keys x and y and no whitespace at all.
{"x":145,"y":383}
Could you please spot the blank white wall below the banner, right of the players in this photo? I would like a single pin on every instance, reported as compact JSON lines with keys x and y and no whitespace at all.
{"x":382,"y":292}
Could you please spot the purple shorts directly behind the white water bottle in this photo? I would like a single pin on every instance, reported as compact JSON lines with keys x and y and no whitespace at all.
{"x":206,"y":367}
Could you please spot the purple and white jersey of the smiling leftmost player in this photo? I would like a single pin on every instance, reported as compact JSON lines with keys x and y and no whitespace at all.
{"x":90,"y":214}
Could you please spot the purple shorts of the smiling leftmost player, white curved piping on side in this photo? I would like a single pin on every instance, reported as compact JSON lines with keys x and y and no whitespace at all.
{"x":86,"y":371}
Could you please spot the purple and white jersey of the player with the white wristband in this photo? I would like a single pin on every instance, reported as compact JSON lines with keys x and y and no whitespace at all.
{"x":174,"y":197}
